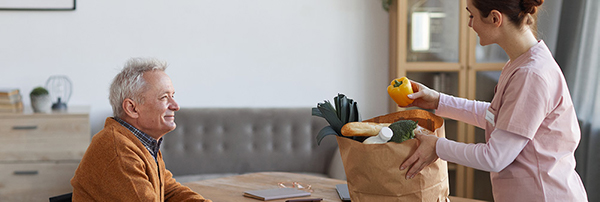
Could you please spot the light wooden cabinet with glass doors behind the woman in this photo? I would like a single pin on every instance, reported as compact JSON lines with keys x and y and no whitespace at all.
{"x":430,"y":42}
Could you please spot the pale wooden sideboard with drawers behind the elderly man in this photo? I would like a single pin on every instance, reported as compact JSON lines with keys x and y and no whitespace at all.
{"x":40,"y":152}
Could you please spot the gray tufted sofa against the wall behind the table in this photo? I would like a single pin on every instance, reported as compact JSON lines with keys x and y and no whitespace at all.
{"x":217,"y":142}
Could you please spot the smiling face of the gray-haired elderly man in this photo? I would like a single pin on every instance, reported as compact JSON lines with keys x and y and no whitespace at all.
{"x":157,"y":113}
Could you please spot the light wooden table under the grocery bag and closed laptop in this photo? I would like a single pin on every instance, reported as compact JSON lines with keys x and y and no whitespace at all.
{"x":232,"y":188}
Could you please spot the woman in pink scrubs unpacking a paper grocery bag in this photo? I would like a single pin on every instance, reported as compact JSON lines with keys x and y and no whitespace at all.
{"x":530,"y":126}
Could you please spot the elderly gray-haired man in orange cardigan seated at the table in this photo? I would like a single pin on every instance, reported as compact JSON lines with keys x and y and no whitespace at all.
{"x":123,"y":161}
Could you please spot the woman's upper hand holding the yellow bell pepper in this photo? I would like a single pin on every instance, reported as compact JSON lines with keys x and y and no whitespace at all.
{"x":423,"y":97}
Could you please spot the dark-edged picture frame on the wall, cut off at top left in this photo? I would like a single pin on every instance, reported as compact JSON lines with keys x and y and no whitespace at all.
{"x":47,"y":5}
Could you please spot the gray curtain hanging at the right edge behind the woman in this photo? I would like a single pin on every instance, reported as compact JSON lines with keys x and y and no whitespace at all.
{"x":578,"y":53}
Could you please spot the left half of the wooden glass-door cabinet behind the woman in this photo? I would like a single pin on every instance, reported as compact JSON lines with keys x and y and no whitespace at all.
{"x":428,"y":44}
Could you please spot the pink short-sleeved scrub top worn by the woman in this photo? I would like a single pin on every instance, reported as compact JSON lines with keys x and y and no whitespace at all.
{"x":532,"y":100}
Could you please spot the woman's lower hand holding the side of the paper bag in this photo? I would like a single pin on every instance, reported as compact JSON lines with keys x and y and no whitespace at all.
{"x":423,"y":156}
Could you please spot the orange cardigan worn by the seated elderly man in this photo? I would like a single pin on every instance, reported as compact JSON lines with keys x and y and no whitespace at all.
{"x":117,"y":167}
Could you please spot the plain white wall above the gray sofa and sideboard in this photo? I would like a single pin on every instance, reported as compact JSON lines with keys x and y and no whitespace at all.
{"x":236,"y":53}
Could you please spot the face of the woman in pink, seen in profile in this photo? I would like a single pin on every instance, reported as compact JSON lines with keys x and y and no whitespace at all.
{"x":482,"y":26}
